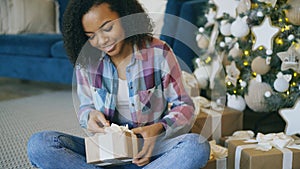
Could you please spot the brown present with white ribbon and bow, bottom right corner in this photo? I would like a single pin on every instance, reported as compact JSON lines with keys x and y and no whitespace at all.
{"x":276,"y":151}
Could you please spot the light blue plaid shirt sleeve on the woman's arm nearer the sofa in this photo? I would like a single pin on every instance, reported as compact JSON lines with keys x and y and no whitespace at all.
{"x":84,"y":95}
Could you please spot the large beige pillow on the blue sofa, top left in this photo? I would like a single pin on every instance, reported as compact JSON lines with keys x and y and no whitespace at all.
{"x":32,"y":16}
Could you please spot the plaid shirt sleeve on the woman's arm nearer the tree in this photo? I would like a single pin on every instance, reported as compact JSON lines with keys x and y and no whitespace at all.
{"x":179,"y":119}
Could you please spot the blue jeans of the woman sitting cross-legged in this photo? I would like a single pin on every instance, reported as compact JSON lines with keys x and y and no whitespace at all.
{"x":51,"y":149}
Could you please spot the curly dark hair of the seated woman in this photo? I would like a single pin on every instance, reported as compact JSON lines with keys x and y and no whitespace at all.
{"x":75,"y":38}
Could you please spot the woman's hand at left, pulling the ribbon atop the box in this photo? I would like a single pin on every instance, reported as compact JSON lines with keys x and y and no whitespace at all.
{"x":96,"y":122}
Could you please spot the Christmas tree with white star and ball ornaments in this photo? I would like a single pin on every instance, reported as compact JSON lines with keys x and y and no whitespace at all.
{"x":257,"y":44}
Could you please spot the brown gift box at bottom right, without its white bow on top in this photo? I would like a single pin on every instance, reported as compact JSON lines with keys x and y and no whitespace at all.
{"x":245,"y":156}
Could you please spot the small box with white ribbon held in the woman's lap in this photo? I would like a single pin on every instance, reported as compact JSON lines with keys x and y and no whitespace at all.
{"x":117,"y":145}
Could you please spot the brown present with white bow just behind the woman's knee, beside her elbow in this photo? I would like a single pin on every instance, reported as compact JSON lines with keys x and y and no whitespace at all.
{"x":213,"y":121}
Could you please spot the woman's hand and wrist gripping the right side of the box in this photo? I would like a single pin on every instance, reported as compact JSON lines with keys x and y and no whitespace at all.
{"x":149,"y":134}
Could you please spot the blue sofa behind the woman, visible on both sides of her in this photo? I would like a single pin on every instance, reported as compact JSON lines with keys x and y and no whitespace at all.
{"x":41,"y":57}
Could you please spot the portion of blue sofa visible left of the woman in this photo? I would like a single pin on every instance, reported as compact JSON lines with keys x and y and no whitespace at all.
{"x":36,"y":57}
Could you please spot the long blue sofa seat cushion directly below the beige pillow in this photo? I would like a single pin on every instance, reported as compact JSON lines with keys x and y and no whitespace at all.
{"x":38,"y":45}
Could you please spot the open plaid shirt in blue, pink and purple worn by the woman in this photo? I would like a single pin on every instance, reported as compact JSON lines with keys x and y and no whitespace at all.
{"x":154,"y":81}
